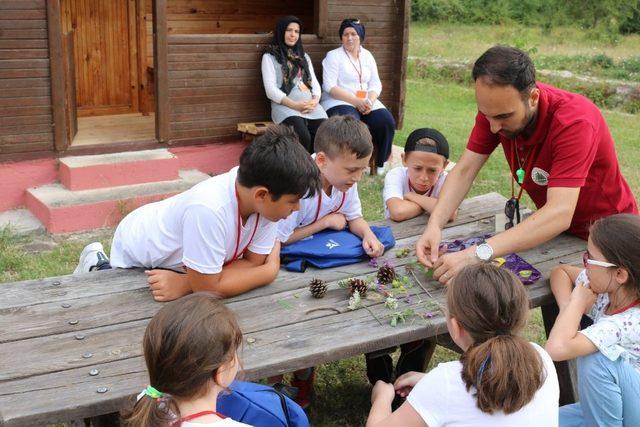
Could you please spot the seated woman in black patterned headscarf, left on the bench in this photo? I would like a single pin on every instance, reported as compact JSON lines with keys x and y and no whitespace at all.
{"x":291,"y":84}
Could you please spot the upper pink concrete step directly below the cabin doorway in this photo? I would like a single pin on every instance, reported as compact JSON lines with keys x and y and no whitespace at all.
{"x":118,"y":169}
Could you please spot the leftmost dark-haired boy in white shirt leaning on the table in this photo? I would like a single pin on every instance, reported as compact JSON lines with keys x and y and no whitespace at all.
{"x":222,"y":231}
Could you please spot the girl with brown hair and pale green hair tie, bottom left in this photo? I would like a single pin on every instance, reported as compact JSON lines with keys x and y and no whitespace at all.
{"x":190,"y":349}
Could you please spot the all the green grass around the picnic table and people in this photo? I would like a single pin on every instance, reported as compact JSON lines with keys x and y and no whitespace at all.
{"x":342,"y":389}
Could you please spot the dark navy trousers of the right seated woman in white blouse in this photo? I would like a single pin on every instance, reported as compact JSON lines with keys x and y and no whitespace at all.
{"x":380,"y":123}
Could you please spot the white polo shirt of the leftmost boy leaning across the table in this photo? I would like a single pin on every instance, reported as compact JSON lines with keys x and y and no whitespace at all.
{"x":196,"y":228}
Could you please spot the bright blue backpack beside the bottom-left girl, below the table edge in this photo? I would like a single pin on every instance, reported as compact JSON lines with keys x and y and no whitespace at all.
{"x":260,"y":406}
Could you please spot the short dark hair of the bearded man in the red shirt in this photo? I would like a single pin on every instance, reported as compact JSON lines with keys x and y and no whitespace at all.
{"x":506,"y":66}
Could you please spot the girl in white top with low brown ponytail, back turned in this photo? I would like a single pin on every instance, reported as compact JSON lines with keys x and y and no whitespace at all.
{"x":501,"y":379}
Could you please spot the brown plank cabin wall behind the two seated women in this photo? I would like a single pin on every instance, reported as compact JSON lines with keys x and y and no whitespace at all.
{"x":215,"y":82}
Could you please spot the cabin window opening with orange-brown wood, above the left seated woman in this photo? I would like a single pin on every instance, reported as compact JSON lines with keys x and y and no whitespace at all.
{"x":237,"y":16}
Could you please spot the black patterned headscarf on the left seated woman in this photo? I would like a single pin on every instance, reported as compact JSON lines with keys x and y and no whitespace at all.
{"x":291,"y":59}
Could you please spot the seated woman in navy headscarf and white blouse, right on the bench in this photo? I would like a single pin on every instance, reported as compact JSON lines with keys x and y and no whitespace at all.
{"x":351,"y":86}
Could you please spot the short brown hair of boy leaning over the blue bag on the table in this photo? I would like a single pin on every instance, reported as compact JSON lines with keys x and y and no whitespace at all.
{"x":343,"y":134}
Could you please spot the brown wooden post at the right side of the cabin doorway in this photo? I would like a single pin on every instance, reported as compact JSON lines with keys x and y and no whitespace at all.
{"x":161,"y":69}
